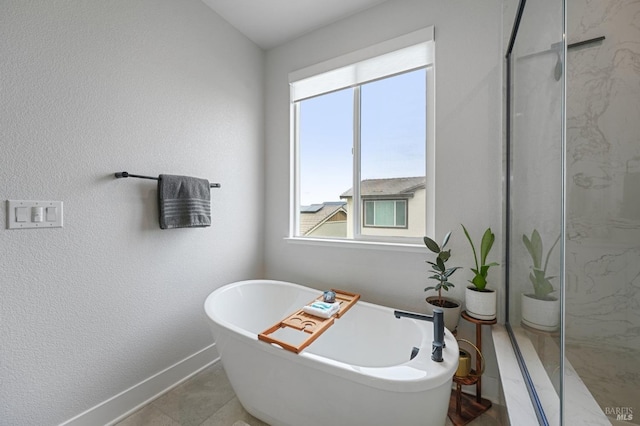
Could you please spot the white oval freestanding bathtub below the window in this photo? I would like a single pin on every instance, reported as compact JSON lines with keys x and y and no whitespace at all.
{"x":359,"y":372}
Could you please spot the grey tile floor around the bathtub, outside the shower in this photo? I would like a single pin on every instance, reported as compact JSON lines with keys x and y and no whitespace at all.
{"x":207,"y":399}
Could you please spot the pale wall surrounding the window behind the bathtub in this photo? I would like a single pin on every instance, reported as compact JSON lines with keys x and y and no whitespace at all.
{"x":468,"y":38}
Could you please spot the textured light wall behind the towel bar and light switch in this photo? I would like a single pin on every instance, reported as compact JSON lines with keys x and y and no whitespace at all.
{"x":88,"y":89}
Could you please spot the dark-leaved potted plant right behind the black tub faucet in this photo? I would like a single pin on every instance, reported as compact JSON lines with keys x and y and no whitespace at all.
{"x":441,"y":274}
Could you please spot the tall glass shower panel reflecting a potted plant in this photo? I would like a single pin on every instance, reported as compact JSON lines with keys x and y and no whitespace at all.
{"x":535,"y":199}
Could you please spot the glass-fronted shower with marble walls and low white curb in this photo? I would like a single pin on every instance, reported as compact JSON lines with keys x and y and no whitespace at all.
{"x":573,"y":207}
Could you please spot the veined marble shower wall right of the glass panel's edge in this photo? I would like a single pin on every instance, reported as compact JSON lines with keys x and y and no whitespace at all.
{"x":603,"y":174}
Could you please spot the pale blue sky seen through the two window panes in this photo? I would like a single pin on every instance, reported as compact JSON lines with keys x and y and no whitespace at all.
{"x":393,"y":136}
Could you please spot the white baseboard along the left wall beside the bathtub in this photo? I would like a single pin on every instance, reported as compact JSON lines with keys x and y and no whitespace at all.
{"x":127,"y":402}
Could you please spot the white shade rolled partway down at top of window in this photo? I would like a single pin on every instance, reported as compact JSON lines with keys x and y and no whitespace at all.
{"x":385,"y":59}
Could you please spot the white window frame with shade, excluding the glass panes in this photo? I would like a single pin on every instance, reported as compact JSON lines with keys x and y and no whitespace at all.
{"x":409,"y":52}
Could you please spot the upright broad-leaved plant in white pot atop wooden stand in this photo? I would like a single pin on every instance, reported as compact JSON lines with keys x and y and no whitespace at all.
{"x":481,"y":301}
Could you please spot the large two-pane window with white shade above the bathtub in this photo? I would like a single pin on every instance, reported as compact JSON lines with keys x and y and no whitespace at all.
{"x":361,"y":133}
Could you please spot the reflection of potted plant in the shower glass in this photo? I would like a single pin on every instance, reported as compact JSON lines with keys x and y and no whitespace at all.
{"x":540,"y":310}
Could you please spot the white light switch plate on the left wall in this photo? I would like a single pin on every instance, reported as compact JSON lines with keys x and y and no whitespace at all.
{"x":16,"y":218}
